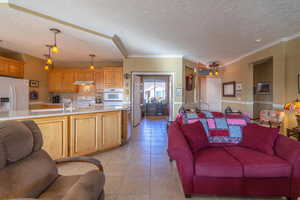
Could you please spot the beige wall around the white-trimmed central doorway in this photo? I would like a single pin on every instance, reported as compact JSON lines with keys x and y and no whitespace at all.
{"x":173,"y":65}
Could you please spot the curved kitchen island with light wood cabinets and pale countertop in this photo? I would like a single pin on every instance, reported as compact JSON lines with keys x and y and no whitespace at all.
{"x":76,"y":132}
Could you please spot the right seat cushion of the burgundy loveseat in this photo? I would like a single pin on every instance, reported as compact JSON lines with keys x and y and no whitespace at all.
{"x":260,"y":165}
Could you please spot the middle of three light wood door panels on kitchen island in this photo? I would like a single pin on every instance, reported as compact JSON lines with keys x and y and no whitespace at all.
{"x":83,"y":129}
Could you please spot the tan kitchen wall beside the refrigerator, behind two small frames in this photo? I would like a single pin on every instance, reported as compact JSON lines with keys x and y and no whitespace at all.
{"x":33,"y":70}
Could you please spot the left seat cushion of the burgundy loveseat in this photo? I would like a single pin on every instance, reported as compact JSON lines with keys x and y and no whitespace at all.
{"x":217,"y":162}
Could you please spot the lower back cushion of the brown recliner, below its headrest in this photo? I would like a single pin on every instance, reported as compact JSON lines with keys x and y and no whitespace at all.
{"x":28,"y":177}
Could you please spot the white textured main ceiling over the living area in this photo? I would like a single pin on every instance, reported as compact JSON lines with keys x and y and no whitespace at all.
{"x":201,"y":30}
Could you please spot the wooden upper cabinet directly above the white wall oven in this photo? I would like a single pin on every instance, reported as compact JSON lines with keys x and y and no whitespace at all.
{"x":113,"y":77}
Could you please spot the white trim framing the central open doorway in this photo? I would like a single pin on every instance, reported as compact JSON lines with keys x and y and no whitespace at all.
{"x":171,"y":88}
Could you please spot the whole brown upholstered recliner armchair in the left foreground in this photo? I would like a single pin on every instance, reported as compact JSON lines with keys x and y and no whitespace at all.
{"x":27,"y":171}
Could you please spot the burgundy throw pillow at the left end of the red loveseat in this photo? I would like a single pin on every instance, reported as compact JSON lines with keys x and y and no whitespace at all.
{"x":195,"y":134}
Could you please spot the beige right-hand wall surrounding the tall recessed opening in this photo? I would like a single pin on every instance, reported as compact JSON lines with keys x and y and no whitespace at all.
{"x":286,"y":59}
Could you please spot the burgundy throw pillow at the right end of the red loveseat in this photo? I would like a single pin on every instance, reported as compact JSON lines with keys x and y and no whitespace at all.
{"x":259,"y":138}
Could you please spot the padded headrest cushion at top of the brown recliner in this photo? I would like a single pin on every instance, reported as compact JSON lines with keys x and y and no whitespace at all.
{"x":17,"y":140}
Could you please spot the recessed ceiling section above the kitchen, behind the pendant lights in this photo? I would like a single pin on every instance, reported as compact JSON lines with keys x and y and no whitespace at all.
{"x":26,"y":33}
